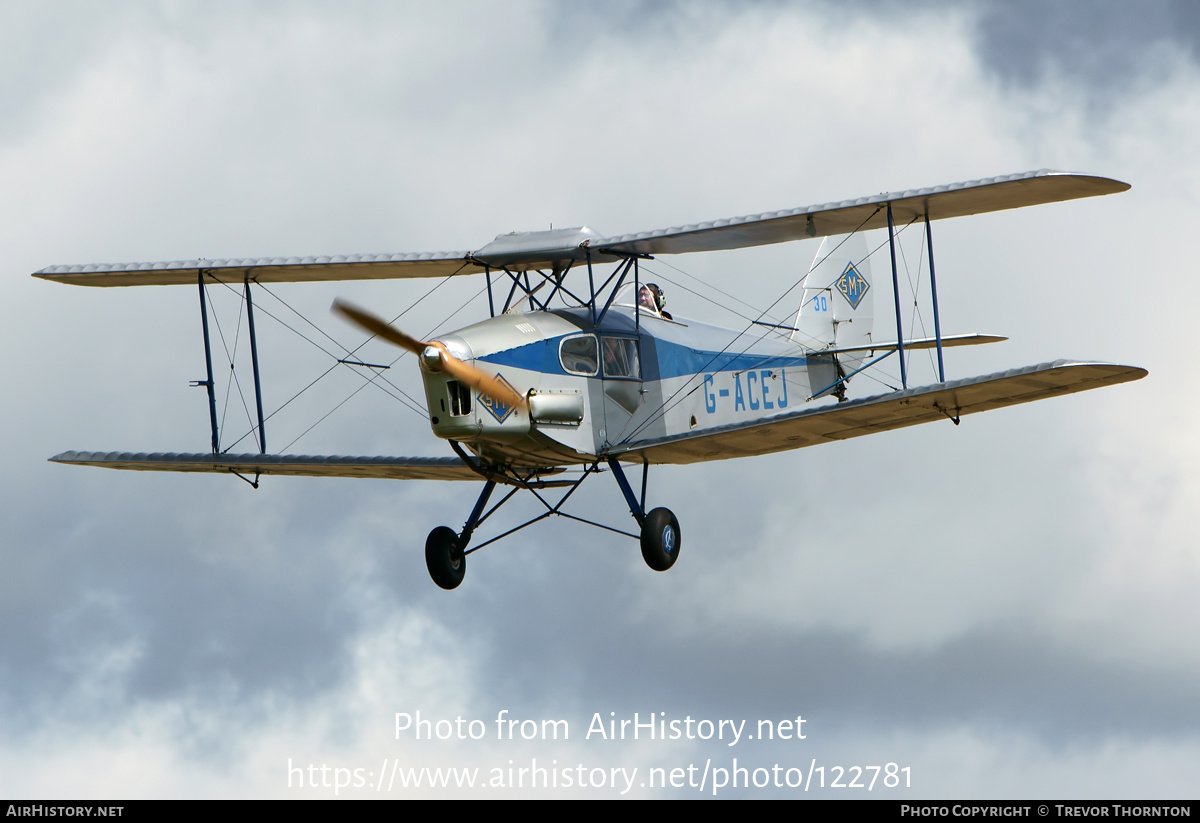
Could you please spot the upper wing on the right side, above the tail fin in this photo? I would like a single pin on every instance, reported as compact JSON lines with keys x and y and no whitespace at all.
{"x":974,"y":197}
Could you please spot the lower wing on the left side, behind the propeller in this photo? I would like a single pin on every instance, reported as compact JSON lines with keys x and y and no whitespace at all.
{"x":308,"y":466}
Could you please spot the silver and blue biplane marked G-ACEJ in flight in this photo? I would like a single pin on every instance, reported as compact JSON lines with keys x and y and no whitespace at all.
{"x":581,"y":370}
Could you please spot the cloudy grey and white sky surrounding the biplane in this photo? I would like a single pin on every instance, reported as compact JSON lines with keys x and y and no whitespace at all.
{"x":999,"y":610}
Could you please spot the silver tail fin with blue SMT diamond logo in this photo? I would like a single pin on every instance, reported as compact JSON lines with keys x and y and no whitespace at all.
{"x":838,"y":311}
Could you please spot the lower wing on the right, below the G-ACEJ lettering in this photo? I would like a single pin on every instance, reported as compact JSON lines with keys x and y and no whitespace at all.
{"x":887,"y":412}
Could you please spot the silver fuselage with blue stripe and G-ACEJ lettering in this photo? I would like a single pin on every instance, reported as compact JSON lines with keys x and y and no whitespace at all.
{"x":603,"y":389}
